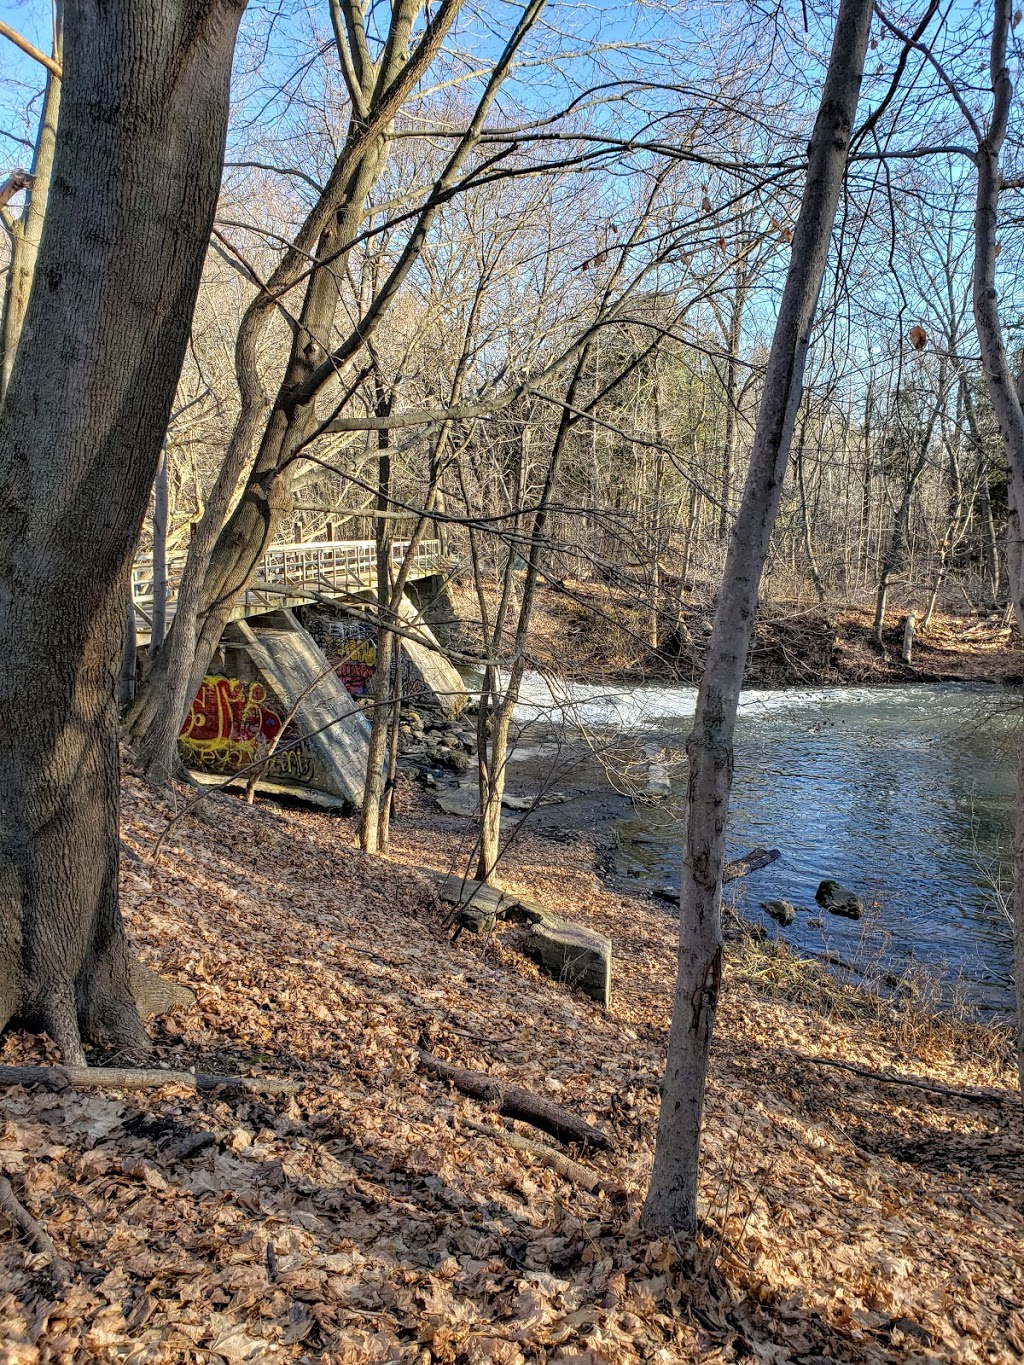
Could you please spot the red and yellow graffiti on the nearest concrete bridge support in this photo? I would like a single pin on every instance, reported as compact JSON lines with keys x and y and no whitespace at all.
{"x":230,"y":727}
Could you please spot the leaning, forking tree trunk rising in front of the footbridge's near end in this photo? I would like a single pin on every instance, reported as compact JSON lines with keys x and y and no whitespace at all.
{"x":229,"y":558}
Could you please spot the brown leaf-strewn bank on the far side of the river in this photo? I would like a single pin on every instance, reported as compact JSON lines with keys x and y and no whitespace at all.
{"x":595,"y":631}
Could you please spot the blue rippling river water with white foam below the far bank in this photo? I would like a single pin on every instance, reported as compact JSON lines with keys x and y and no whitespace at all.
{"x":906,"y":795}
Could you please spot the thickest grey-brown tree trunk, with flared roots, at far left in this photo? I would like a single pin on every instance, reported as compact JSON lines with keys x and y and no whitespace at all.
{"x":145,"y":100}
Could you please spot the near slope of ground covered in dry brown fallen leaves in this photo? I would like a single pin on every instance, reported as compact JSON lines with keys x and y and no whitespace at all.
{"x":368,"y":1218}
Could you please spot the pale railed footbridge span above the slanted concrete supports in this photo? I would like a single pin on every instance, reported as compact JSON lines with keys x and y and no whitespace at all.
{"x":293,"y":575}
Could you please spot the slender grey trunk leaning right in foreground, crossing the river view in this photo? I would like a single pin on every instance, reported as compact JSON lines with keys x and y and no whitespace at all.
{"x":671,"y":1205}
